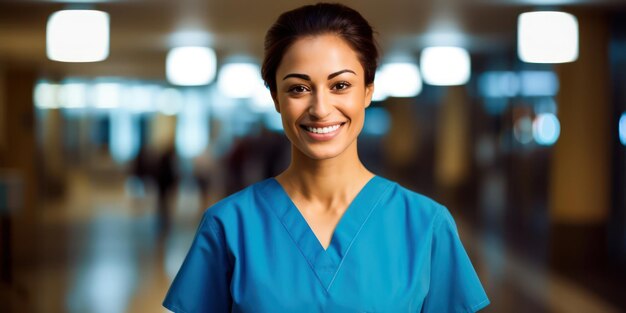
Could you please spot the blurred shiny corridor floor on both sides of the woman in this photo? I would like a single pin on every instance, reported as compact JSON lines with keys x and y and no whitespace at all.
{"x":100,"y":250}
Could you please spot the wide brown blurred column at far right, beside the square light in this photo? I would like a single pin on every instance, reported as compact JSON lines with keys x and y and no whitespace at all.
{"x":581,"y":165}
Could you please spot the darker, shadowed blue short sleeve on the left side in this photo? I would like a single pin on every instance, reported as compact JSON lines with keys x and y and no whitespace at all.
{"x":203,"y":281}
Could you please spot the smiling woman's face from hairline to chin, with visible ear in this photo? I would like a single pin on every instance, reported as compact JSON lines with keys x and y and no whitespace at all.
{"x":321,"y":96}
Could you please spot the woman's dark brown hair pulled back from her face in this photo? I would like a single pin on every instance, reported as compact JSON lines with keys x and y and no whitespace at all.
{"x":318,"y":19}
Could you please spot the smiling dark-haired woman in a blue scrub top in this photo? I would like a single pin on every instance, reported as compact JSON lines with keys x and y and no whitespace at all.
{"x":326,"y":235}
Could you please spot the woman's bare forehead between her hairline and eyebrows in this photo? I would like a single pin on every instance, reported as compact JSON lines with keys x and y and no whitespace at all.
{"x":321,"y":54}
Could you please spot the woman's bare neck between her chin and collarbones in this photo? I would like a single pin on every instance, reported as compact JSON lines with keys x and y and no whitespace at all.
{"x":329,"y":183}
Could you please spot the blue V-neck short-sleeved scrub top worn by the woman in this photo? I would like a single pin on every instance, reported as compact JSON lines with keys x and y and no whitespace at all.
{"x":392,"y":251}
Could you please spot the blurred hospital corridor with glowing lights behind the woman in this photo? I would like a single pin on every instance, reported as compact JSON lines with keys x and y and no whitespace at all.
{"x":109,"y":158}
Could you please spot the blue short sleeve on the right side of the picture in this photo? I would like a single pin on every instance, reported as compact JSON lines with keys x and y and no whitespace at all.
{"x":454,"y":284}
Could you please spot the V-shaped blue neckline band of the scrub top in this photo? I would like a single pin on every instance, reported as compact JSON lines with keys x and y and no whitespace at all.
{"x":324,"y":262}
